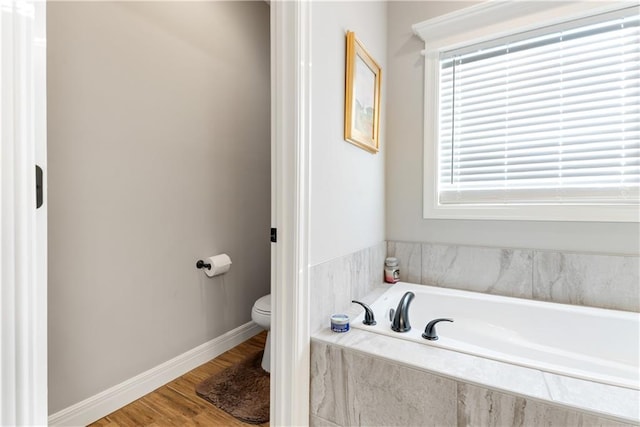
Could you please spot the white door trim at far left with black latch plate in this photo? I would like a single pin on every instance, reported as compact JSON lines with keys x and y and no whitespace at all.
{"x":23,"y":233}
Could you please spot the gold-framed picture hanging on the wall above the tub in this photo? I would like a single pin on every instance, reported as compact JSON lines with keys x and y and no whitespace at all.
{"x":362,"y":96}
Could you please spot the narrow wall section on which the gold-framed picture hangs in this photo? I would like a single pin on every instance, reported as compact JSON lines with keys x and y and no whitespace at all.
{"x":347,"y":183}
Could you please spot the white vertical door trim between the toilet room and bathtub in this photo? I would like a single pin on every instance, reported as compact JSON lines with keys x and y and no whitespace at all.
{"x":290,"y":140}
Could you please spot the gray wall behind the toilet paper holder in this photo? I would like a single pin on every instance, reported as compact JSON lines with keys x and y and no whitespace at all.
{"x":159,"y":154}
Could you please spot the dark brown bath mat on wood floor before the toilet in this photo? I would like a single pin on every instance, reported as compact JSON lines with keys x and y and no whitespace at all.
{"x":241,"y":390}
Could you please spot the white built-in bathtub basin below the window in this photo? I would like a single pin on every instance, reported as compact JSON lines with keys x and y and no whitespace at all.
{"x":588,"y":343}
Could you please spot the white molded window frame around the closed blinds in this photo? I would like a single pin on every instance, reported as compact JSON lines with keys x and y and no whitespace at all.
{"x":495,"y":20}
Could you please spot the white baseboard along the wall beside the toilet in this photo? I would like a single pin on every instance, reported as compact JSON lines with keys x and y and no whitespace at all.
{"x":104,"y":403}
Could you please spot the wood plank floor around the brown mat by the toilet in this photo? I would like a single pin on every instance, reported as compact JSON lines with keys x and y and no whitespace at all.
{"x":177,"y":404}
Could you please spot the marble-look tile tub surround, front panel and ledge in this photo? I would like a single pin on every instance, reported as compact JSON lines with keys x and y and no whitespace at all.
{"x":476,"y":391}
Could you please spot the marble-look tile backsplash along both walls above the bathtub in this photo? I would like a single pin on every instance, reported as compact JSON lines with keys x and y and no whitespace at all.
{"x":606,"y":281}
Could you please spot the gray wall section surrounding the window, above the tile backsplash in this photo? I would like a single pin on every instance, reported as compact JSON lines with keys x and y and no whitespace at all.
{"x":404,"y":169}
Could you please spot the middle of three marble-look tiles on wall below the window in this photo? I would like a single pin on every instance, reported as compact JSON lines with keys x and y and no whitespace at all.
{"x":496,"y":271}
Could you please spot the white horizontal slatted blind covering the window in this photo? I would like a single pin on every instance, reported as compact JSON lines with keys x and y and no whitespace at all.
{"x":550,"y":116}
